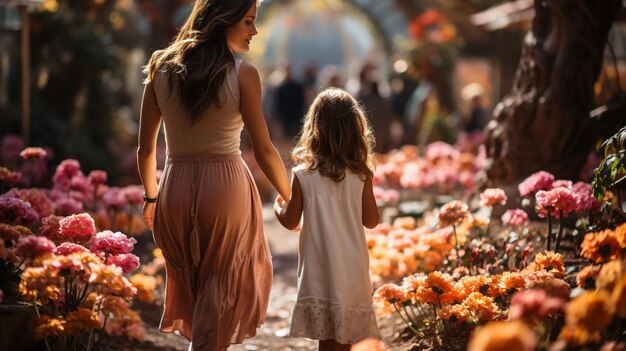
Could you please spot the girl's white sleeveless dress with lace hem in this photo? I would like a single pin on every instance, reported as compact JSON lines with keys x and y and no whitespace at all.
{"x":334,"y":287}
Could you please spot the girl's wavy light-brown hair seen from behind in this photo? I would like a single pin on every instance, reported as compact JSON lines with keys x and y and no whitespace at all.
{"x":336,"y":136}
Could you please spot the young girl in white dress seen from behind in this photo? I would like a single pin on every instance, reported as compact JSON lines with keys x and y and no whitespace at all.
{"x":332,"y":191}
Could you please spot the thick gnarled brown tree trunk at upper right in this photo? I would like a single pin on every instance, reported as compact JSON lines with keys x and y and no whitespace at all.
{"x":544,"y":123}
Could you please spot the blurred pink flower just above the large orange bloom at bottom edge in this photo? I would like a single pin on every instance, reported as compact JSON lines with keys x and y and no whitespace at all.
{"x":534,"y":304}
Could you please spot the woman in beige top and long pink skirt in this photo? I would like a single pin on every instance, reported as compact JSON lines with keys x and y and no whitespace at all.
{"x":206,"y":210}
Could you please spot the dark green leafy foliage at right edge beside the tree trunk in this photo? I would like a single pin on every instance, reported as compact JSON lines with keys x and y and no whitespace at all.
{"x":613,"y":167}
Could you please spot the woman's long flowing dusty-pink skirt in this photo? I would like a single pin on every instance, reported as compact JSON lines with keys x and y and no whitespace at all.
{"x":208,"y":223}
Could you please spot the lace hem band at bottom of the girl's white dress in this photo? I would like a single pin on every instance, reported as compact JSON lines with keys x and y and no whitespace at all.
{"x":321,"y":320}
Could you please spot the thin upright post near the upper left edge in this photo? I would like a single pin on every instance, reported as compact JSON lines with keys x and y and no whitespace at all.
{"x":25,"y":43}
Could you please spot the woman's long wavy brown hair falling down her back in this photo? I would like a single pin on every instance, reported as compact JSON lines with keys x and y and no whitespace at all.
{"x":199,"y":57}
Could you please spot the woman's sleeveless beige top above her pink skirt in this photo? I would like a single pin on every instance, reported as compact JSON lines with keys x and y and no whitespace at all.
{"x":218,"y":131}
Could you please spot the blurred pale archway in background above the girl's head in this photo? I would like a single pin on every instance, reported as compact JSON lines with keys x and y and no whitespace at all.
{"x":341,"y":33}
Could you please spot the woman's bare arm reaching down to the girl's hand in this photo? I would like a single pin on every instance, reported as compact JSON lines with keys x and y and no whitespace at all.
{"x":252,"y":112}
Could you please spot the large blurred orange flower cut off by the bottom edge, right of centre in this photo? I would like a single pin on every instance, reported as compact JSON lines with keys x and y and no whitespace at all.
{"x":503,"y":336}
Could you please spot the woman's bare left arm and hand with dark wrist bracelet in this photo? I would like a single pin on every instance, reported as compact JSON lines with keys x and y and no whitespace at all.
{"x":149,"y":123}
